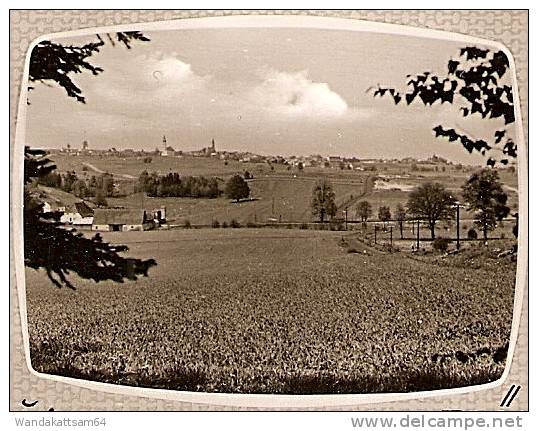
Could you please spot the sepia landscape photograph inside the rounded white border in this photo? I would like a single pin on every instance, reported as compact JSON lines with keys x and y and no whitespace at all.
{"x":271,"y":210}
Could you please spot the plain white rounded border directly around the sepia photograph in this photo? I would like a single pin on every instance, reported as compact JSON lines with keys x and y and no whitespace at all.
{"x":267,"y":400}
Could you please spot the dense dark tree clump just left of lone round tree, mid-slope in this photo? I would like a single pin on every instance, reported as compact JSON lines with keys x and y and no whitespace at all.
{"x":174,"y":185}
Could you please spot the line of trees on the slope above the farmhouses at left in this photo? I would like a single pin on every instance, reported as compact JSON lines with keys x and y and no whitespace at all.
{"x":102,"y":185}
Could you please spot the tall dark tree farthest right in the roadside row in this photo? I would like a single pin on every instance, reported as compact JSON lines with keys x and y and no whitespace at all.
{"x":485,"y":196}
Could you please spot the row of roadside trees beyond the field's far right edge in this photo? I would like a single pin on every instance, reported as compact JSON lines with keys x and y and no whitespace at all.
{"x":429,"y":202}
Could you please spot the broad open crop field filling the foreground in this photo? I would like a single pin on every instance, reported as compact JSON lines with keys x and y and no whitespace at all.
{"x":276,"y":311}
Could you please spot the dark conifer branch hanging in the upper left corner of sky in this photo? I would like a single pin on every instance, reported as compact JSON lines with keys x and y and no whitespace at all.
{"x":56,"y":62}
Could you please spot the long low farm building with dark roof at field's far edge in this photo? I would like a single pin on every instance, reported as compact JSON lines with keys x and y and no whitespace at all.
{"x":122,"y":220}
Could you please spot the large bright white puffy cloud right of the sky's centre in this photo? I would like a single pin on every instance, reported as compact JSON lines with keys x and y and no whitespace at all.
{"x":294,"y":94}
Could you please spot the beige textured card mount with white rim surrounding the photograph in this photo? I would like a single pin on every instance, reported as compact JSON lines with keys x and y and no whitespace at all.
{"x":507,"y":27}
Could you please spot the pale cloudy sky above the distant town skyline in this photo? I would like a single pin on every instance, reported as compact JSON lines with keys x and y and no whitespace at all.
{"x":268,"y":91}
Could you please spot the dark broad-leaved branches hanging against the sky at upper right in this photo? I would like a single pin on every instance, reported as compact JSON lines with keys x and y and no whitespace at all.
{"x":474,"y":80}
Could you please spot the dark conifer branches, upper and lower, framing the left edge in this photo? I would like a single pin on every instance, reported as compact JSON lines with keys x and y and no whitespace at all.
{"x":47,"y":244}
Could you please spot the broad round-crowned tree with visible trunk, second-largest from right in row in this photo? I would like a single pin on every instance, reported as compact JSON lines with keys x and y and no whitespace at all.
{"x":431,"y":202}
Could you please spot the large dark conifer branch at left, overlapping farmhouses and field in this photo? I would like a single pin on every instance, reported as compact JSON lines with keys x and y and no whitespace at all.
{"x":59,"y":251}
